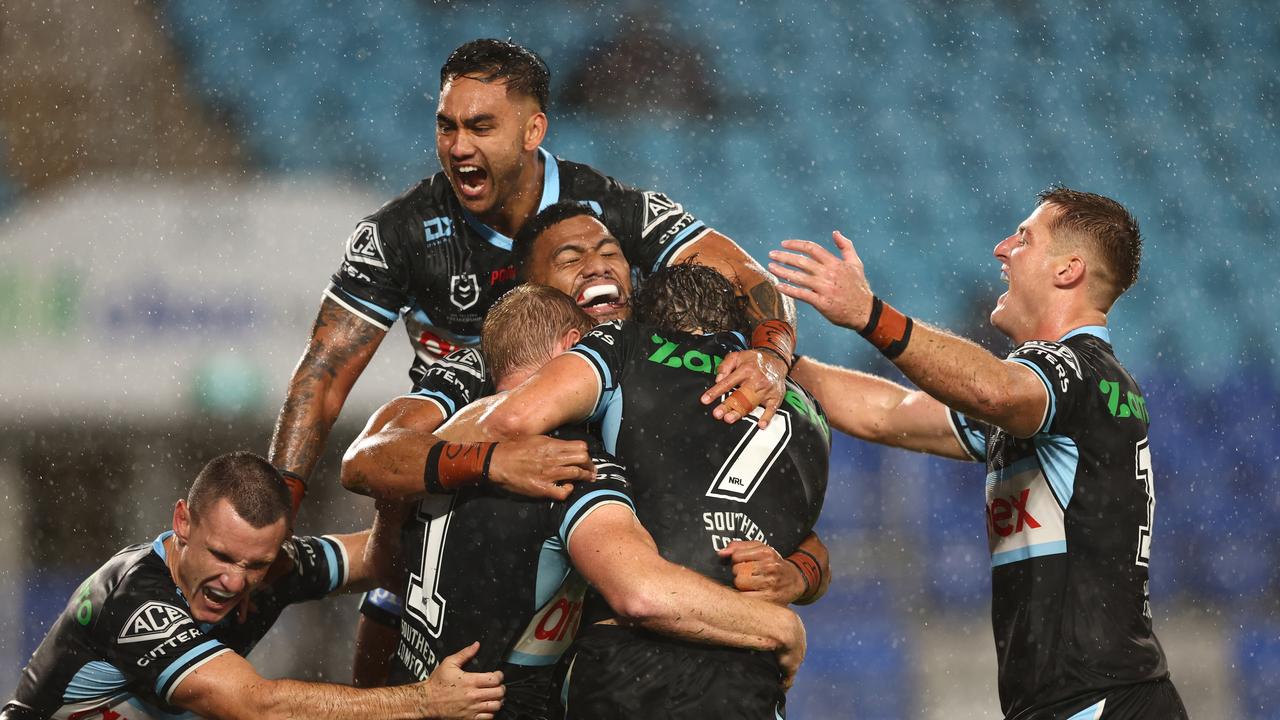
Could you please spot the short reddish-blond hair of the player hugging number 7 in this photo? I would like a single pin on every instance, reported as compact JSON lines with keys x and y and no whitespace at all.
{"x":523,"y":329}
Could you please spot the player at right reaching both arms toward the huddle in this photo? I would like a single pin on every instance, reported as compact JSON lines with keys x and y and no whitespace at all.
{"x":1063,"y":430}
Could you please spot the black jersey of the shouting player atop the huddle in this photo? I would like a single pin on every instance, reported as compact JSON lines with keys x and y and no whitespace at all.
{"x":426,"y":258}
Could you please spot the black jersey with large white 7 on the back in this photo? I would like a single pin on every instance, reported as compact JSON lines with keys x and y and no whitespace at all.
{"x":701,"y":484}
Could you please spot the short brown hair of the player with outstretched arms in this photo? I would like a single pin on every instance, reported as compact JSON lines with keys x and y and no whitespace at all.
{"x":1107,"y":226}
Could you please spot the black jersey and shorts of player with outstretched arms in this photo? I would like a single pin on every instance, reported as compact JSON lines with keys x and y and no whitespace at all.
{"x":1069,"y":521}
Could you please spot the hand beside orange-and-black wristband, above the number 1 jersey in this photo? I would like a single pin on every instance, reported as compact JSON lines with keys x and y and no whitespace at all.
{"x":541,"y":467}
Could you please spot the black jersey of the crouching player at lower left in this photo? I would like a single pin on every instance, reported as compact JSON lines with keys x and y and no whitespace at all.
{"x":127,"y":640}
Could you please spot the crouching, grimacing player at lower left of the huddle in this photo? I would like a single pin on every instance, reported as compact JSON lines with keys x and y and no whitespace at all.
{"x":154,"y":631}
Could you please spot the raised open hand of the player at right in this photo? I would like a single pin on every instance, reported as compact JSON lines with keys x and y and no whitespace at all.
{"x":835,"y":286}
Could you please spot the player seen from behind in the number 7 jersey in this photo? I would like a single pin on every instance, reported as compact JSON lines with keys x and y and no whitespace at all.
{"x":700,"y":485}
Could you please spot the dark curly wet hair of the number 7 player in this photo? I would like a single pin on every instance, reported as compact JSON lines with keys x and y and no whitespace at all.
{"x":691,"y":298}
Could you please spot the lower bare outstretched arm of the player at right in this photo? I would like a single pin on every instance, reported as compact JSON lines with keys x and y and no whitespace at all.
{"x":879,"y":411}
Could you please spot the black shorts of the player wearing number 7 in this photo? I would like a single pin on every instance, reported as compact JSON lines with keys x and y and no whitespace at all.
{"x":618,"y":673}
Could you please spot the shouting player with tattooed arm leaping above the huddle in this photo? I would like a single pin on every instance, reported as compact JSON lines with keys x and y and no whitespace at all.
{"x":444,"y":252}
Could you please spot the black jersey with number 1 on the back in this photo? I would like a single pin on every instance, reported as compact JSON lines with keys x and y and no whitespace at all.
{"x":491,"y":567}
